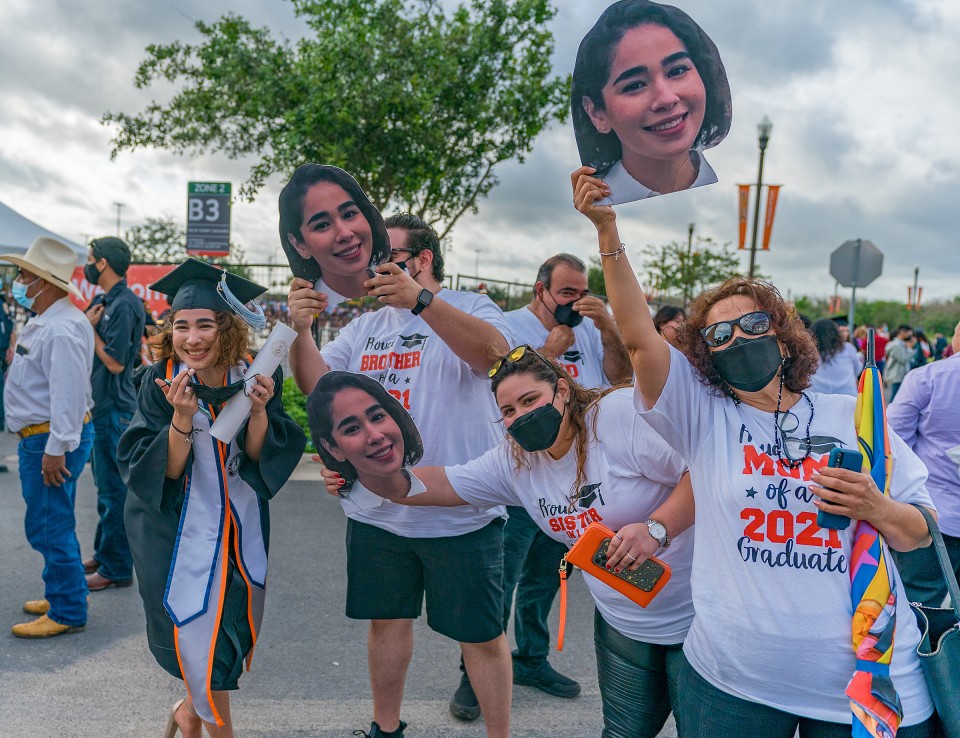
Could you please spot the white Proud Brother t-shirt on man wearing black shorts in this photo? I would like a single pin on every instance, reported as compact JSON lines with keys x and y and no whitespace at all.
{"x":451,"y":404}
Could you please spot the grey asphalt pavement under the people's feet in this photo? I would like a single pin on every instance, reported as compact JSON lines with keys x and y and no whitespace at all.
{"x":309,"y":675}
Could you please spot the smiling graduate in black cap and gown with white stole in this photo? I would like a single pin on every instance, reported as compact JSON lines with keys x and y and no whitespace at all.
{"x":198,"y":518}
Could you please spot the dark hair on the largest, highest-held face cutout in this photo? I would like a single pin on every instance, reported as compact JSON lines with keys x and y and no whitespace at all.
{"x":592,"y":70}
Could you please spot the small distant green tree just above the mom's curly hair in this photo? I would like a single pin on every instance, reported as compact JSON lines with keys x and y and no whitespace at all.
{"x":672,"y":269}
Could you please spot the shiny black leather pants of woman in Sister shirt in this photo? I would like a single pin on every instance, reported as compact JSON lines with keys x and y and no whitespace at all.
{"x":638,"y":682}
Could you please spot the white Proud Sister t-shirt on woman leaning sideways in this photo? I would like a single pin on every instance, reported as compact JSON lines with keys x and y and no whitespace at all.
{"x":630,"y":472}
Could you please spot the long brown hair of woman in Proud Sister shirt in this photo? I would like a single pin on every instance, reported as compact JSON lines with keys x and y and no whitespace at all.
{"x":536,"y":365}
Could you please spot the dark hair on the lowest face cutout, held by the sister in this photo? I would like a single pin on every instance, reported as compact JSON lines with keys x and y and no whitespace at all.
{"x":320,"y":420}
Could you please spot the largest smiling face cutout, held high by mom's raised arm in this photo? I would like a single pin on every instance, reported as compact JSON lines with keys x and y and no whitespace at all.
{"x":649,"y":95}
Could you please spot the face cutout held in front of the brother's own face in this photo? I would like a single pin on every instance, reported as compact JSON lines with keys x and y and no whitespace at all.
{"x":330,"y":231}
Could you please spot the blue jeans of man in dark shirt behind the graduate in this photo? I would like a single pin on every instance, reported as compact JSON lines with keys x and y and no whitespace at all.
{"x":110,"y":545}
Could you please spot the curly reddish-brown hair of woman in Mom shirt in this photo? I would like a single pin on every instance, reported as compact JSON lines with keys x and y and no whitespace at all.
{"x":802,"y":357}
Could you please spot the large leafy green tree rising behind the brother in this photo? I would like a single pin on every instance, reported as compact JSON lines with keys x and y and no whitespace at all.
{"x":420,"y":105}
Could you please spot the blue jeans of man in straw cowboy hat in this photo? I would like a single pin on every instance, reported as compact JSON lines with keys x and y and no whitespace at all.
{"x":51,"y":527}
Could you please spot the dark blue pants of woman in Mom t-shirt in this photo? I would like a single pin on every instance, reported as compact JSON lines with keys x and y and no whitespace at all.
{"x":708,"y":712}
